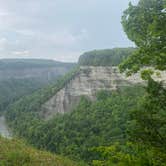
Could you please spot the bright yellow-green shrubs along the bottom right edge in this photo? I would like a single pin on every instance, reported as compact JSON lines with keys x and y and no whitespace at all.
{"x":129,"y":154}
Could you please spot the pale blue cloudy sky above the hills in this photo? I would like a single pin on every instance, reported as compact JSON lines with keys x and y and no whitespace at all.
{"x":60,"y":29}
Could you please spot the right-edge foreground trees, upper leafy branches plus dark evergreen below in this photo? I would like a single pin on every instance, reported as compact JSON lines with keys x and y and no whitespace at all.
{"x":145,"y":25}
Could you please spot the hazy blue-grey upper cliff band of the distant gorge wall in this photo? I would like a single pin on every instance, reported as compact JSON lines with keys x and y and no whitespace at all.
{"x":43,"y":70}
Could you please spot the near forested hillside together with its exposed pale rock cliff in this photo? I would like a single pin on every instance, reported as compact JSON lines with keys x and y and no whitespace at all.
{"x":100,"y":121}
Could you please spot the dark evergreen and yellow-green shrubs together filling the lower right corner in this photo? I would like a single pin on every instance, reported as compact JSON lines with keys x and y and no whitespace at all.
{"x":146,"y":129}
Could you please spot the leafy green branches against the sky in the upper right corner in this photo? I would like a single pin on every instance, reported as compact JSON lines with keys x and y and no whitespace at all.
{"x":145,"y":25}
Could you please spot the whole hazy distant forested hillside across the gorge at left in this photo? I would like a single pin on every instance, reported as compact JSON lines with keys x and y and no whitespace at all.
{"x":20,"y":77}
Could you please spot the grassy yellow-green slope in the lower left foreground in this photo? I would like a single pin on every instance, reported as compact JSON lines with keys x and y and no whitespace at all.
{"x":17,"y":153}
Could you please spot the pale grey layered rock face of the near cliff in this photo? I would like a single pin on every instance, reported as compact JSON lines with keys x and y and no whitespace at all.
{"x":88,"y":81}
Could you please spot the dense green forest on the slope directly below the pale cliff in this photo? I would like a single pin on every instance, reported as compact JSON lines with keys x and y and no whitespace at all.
{"x":90,"y":124}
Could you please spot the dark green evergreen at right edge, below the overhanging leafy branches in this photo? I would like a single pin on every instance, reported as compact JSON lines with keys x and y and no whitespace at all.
{"x":148,"y":121}
